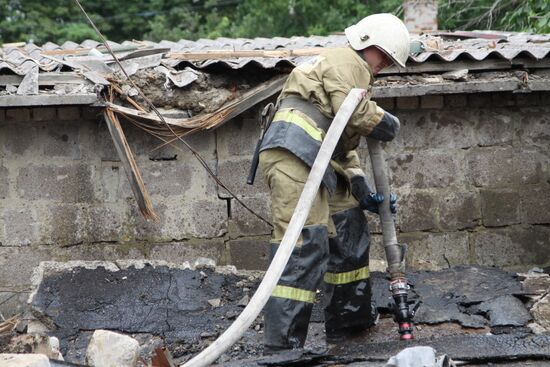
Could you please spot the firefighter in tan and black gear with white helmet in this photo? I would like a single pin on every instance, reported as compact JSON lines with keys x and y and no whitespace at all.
{"x":334,"y":243}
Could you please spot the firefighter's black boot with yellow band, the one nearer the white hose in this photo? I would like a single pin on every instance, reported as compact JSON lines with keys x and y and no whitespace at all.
{"x":287,"y":313}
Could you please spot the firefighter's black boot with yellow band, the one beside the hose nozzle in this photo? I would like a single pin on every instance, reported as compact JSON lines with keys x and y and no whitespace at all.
{"x":349,"y":309}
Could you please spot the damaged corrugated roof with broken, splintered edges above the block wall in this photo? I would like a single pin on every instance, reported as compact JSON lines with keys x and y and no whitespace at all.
{"x":72,"y":73}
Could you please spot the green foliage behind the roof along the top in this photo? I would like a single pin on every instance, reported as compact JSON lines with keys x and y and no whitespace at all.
{"x":61,"y":20}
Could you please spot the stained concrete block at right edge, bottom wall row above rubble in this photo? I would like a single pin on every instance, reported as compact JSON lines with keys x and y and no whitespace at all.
{"x":513,"y":246}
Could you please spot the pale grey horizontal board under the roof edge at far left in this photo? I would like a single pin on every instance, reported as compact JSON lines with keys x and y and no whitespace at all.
{"x":48,"y":100}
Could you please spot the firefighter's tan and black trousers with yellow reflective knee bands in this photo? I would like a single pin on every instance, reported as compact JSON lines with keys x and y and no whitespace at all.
{"x":333,"y":248}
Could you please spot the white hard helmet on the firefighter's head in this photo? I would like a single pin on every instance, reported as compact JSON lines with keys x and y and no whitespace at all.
{"x":384,"y":31}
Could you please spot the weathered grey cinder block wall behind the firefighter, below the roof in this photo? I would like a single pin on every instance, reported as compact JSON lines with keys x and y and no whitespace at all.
{"x":472,"y":173}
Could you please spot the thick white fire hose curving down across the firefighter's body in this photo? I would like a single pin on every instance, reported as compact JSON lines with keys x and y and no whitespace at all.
{"x":273,"y":273}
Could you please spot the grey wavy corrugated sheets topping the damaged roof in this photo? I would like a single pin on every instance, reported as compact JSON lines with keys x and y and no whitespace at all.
{"x":507,"y":46}
